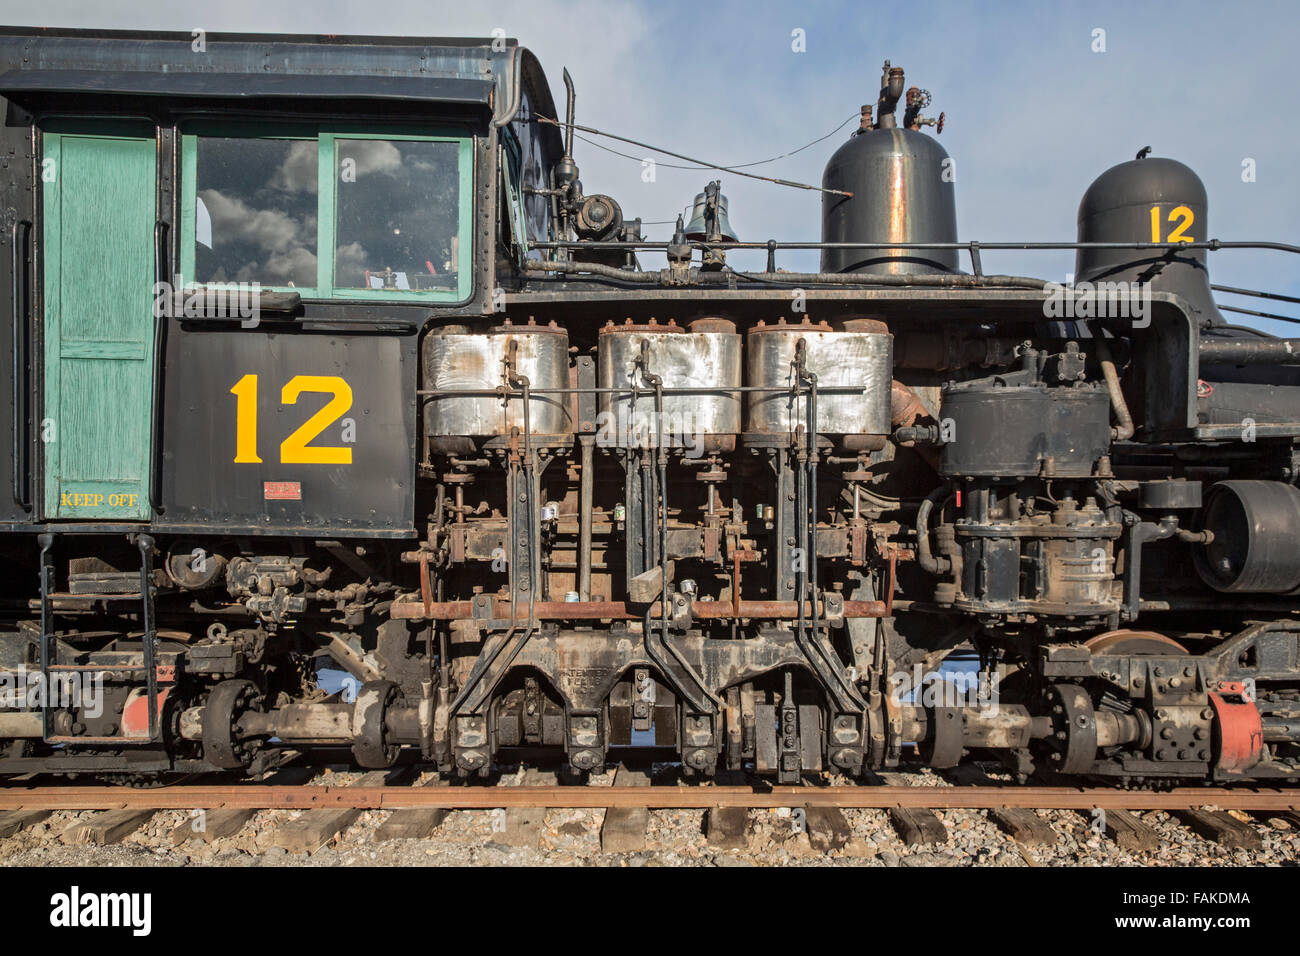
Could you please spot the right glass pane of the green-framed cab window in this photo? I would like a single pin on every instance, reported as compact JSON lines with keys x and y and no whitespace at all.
{"x":397,"y":215}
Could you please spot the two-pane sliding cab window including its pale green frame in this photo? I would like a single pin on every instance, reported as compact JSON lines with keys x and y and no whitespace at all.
{"x":328,"y":213}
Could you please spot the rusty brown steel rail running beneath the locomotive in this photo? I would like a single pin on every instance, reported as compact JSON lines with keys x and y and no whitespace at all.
{"x":262,"y":797}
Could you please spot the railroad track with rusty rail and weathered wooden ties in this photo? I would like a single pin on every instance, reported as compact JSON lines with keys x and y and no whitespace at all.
{"x":417,"y":810}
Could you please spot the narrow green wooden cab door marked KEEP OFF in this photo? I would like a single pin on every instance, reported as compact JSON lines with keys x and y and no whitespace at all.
{"x":98,"y":243}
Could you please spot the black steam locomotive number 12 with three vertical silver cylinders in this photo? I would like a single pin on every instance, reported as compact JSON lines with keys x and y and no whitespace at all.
{"x":322,"y":358}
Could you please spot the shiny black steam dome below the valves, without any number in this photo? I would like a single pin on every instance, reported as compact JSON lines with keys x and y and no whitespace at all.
{"x":903,"y":192}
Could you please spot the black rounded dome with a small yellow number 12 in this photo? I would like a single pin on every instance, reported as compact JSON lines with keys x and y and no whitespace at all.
{"x":1154,"y":200}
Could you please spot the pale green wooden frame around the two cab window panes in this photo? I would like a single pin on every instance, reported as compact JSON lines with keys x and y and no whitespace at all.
{"x":327,"y":137}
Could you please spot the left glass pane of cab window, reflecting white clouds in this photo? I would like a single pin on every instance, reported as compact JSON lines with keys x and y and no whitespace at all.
{"x":255,"y":211}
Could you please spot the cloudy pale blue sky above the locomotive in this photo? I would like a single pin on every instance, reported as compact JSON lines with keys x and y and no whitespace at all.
{"x":1033,"y":114}
